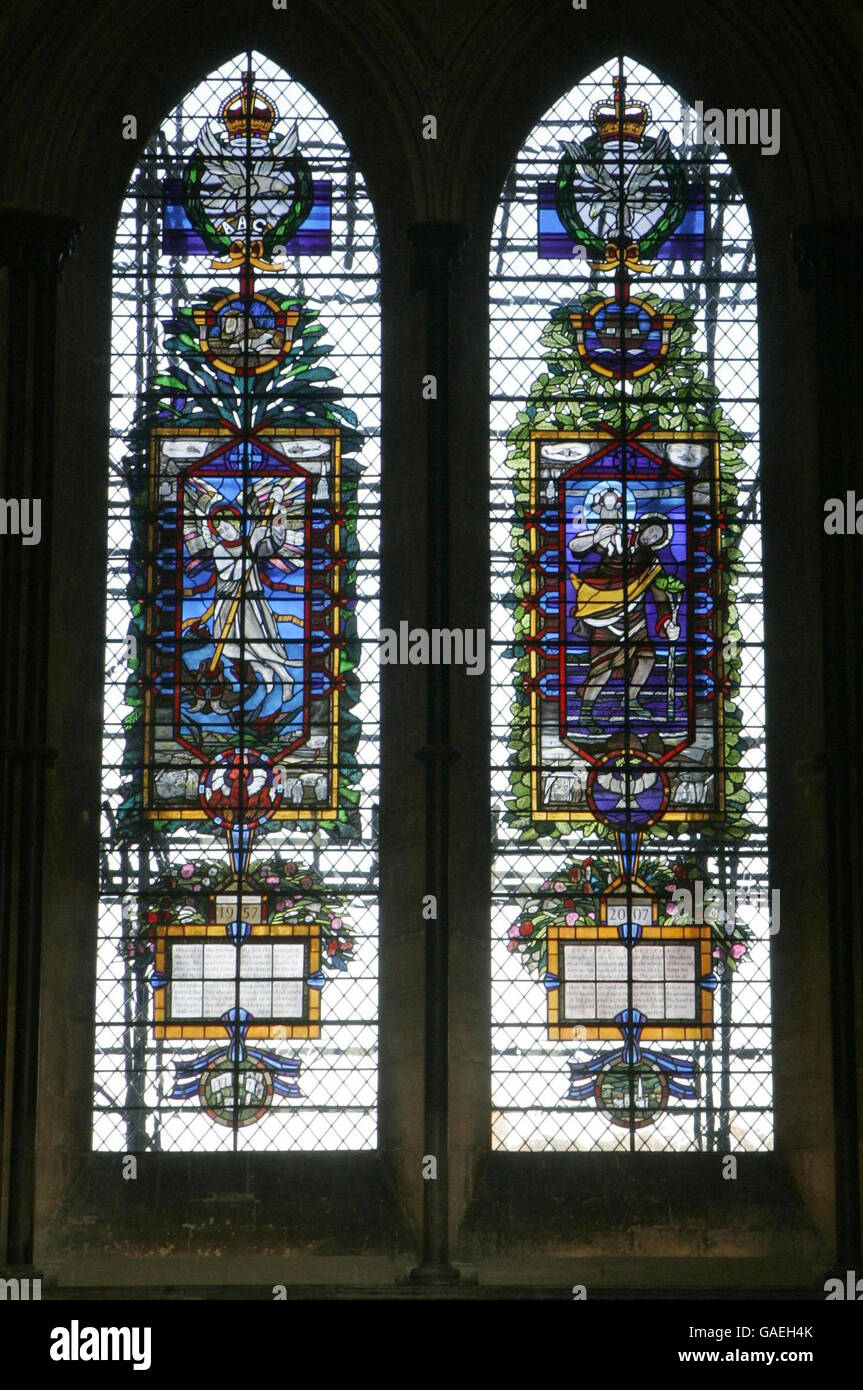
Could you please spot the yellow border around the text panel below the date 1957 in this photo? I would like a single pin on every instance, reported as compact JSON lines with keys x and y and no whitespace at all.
{"x":212,"y":931}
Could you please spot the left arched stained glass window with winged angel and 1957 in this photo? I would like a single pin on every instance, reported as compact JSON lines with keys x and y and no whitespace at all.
{"x":237,"y":995}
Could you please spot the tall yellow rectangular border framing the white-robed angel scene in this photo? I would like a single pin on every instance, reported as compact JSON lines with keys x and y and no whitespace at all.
{"x":329,"y":812}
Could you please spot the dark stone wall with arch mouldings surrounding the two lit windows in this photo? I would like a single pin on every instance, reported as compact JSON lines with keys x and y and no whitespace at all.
{"x":487,"y":72}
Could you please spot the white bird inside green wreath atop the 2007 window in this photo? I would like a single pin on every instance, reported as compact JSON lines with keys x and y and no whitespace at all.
{"x":644,"y":191}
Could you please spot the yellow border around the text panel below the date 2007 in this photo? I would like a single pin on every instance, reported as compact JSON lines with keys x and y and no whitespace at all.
{"x":662,"y":1033}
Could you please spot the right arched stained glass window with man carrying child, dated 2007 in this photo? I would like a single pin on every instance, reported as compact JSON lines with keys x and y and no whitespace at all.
{"x":632,"y":908}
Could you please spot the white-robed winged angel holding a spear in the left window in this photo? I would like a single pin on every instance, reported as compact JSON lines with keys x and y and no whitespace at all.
{"x":245,"y":629}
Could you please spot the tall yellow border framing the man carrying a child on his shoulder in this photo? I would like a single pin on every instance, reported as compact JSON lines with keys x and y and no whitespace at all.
{"x":540,"y":437}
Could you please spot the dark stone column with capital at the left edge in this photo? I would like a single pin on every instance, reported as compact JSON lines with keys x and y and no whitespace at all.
{"x":33,"y":247}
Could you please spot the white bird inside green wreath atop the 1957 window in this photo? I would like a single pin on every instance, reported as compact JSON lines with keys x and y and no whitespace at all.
{"x":233,"y":187}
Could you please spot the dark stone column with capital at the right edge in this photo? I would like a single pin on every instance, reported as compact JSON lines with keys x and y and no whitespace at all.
{"x":829,"y":262}
